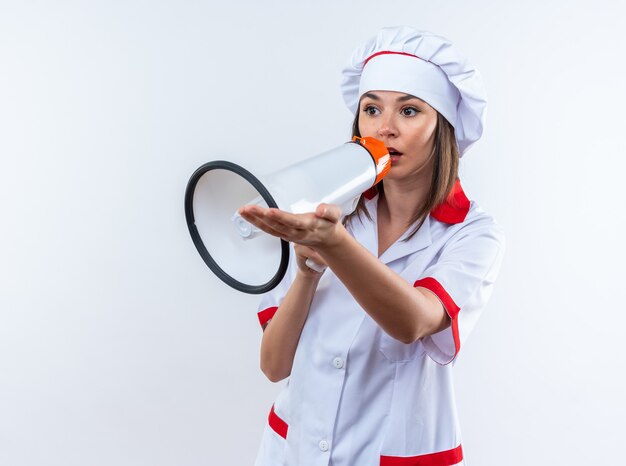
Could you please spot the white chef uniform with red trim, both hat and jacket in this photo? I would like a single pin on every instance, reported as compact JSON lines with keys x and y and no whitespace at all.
{"x":356,"y":396}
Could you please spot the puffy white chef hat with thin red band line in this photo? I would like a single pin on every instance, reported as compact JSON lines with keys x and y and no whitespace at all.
{"x":425,"y":65}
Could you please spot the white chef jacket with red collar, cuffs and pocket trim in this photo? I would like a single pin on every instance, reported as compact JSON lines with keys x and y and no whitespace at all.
{"x":357,"y":396}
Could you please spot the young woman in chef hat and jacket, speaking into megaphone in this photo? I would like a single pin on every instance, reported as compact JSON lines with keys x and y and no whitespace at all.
{"x":367,"y":344}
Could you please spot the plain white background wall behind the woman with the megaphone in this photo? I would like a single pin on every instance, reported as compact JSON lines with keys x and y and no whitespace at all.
{"x":117,"y":344}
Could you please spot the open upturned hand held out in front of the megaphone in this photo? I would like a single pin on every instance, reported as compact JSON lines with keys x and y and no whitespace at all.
{"x":318,"y":229}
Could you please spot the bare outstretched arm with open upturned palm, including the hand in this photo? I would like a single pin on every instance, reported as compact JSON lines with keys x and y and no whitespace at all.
{"x":403,"y":312}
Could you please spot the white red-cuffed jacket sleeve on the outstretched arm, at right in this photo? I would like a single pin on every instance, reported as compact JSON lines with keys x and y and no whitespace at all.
{"x":462,"y":278}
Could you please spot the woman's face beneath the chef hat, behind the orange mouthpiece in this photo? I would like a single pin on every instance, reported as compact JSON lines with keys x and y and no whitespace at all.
{"x":406,"y":125}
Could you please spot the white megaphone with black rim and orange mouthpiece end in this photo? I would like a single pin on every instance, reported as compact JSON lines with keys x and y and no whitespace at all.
{"x":247,"y":258}
